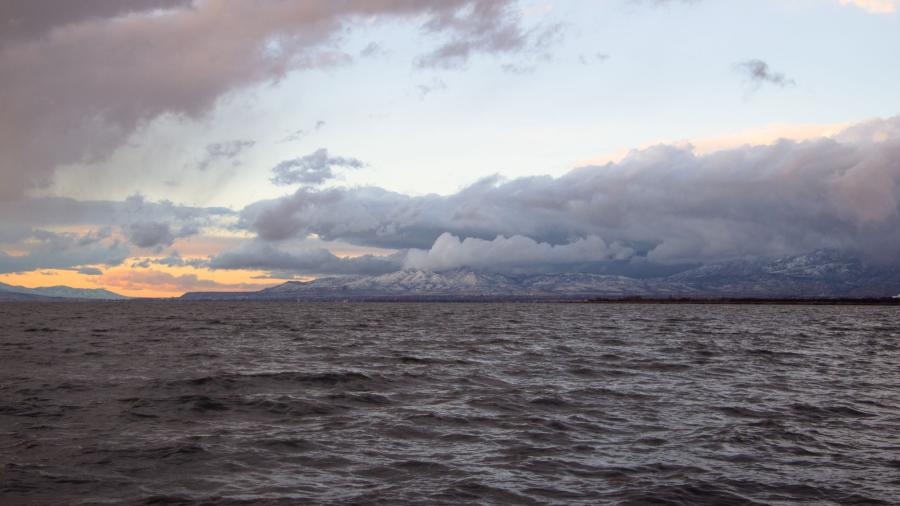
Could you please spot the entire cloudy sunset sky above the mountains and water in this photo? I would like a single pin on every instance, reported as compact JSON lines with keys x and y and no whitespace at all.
{"x":154,"y":147}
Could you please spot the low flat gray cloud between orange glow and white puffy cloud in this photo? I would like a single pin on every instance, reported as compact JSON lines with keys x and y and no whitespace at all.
{"x":319,"y":261}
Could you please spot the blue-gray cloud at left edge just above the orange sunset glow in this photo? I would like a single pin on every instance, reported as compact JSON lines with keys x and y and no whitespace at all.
{"x":50,"y":250}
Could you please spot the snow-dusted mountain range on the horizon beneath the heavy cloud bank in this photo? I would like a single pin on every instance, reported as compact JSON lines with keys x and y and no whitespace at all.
{"x":816,"y":275}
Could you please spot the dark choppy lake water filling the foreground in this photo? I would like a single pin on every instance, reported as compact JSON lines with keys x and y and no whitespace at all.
{"x":448,"y":403}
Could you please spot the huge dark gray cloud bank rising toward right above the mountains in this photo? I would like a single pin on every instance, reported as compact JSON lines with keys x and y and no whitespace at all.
{"x":666,"y":203}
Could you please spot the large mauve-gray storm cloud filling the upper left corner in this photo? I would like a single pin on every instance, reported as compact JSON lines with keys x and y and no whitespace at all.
{"x":76,"y":92}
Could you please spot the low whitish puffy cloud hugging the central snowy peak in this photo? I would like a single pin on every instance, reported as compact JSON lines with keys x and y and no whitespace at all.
{"x":516,"y":252}
